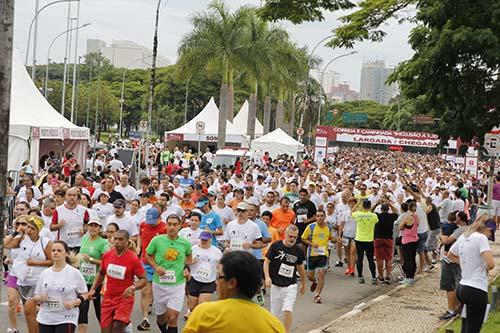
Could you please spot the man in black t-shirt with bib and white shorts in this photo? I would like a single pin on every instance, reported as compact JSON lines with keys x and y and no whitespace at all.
{"x":283,"y":259}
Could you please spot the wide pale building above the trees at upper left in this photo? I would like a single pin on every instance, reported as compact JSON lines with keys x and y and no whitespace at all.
{"x":124,"y":53}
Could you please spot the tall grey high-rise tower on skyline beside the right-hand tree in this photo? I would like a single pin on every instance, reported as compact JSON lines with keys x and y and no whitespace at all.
{"x":373,"y":82}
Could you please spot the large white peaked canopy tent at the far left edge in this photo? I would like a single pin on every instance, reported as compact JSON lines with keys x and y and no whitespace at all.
{"x":35,"y":126}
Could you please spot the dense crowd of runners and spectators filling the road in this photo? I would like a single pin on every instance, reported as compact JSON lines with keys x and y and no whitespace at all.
{"x":85,"y":235}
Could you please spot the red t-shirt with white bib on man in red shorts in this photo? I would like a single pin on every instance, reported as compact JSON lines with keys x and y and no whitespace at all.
{"x":120,"y":271}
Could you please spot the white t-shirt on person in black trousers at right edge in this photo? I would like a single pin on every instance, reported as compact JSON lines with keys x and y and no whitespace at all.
{"x":469,"y":250}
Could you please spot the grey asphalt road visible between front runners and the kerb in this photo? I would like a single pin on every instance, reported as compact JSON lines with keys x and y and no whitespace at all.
{"x":339,"y":295}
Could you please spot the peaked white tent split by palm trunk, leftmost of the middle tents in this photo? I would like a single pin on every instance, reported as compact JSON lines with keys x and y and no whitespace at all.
{"x":210,"y":117}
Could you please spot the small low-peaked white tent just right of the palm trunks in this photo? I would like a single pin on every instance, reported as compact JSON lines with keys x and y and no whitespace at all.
{"x":276,"y":143}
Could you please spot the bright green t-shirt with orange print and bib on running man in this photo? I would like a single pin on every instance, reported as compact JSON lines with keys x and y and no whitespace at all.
{"x":171,"y":256}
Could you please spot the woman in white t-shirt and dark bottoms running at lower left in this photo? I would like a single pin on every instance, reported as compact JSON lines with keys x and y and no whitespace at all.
{"x":60,"y":290}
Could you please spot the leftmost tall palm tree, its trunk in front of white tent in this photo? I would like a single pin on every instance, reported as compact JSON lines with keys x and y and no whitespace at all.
{"x":216,"y":43}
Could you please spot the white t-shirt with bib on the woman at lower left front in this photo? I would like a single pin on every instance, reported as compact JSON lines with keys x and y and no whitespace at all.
{"x":61,"y":286}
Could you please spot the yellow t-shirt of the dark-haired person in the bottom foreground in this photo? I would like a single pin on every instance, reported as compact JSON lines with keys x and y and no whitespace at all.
{"x":232,"y":315}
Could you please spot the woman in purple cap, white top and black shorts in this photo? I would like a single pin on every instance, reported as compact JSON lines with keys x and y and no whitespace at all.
{"x":203,"y":270}
